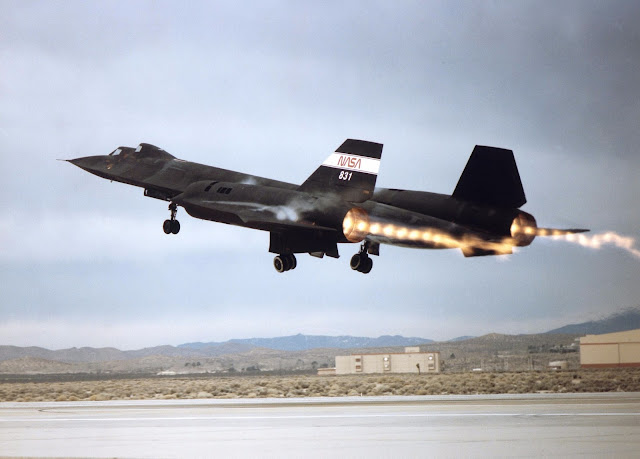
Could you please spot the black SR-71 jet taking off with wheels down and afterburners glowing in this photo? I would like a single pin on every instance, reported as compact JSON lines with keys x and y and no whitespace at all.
{"x":339,"y":203}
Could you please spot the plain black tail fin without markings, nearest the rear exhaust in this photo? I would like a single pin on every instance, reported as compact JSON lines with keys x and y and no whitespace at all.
{"x":491,"y":177}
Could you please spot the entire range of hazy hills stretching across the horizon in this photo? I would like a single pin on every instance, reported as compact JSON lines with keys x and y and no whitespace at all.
{"x":296,"y":351}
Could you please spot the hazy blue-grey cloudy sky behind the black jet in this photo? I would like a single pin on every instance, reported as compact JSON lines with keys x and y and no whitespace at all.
{"x":272,"y":88}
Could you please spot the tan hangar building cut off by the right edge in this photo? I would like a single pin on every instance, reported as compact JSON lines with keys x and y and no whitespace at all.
{"x":621,"y":349}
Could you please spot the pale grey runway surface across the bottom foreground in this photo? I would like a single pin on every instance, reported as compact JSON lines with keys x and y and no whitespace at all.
{"x":591,"y":425}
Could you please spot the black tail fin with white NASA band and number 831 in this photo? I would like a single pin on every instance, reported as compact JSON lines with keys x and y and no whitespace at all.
{"x":350,"y":172}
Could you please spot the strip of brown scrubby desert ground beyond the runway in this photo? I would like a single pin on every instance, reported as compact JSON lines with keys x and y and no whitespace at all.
{"x":192,"y":387}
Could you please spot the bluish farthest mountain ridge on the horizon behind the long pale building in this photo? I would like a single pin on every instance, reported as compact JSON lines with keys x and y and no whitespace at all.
{"x":302,"y":342}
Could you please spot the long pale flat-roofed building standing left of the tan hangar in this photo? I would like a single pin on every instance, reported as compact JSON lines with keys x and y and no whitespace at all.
{"x":411,"y":361}
